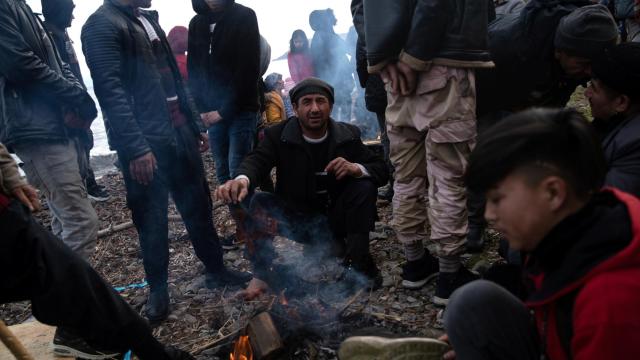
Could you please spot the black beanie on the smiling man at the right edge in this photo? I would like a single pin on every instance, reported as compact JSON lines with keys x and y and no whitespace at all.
{"x":619,"y":68}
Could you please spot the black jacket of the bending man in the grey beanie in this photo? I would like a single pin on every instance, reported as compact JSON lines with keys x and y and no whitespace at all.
{"x":526,"y":72}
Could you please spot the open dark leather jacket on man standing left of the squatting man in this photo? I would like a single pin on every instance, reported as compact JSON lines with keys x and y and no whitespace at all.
{"x":127,"y":80}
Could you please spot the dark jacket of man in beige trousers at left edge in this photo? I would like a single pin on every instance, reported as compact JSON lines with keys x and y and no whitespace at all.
{"x":35,"y":85}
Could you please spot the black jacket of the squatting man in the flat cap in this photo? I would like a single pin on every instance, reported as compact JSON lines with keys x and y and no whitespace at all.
{"x":285,"y":149}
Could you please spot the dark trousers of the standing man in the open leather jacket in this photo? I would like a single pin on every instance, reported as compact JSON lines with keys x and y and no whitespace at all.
{"x":181,"y":173}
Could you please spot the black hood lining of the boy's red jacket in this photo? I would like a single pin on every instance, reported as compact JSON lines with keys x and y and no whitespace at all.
{"x":583,"y":245}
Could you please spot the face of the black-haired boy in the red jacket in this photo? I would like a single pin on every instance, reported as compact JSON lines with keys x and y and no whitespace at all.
{"x":522,"y":212}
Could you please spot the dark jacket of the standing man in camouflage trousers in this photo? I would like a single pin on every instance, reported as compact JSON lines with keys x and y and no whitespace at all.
{"x":445,"y":32}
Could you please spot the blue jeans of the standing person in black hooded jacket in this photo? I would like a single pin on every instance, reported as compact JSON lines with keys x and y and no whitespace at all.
{"x":231,"y":139}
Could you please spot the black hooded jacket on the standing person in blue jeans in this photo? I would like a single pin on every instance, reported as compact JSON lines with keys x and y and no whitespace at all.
{"x":224,"y":67}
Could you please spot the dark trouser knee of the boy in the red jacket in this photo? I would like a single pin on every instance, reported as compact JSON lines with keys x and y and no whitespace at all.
{"x":486,"y":322}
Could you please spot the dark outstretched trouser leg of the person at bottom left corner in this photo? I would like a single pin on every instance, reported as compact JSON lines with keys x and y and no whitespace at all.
{"x":64,"y":290}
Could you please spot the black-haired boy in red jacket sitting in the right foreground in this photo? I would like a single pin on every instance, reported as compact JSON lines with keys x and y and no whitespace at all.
{"x":541,"y":172}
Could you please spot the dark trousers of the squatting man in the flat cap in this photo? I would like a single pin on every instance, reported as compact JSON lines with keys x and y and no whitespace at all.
{"x":346,"y":224}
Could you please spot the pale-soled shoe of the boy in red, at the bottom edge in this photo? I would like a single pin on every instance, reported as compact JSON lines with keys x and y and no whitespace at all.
{"x":373,"y":347}
